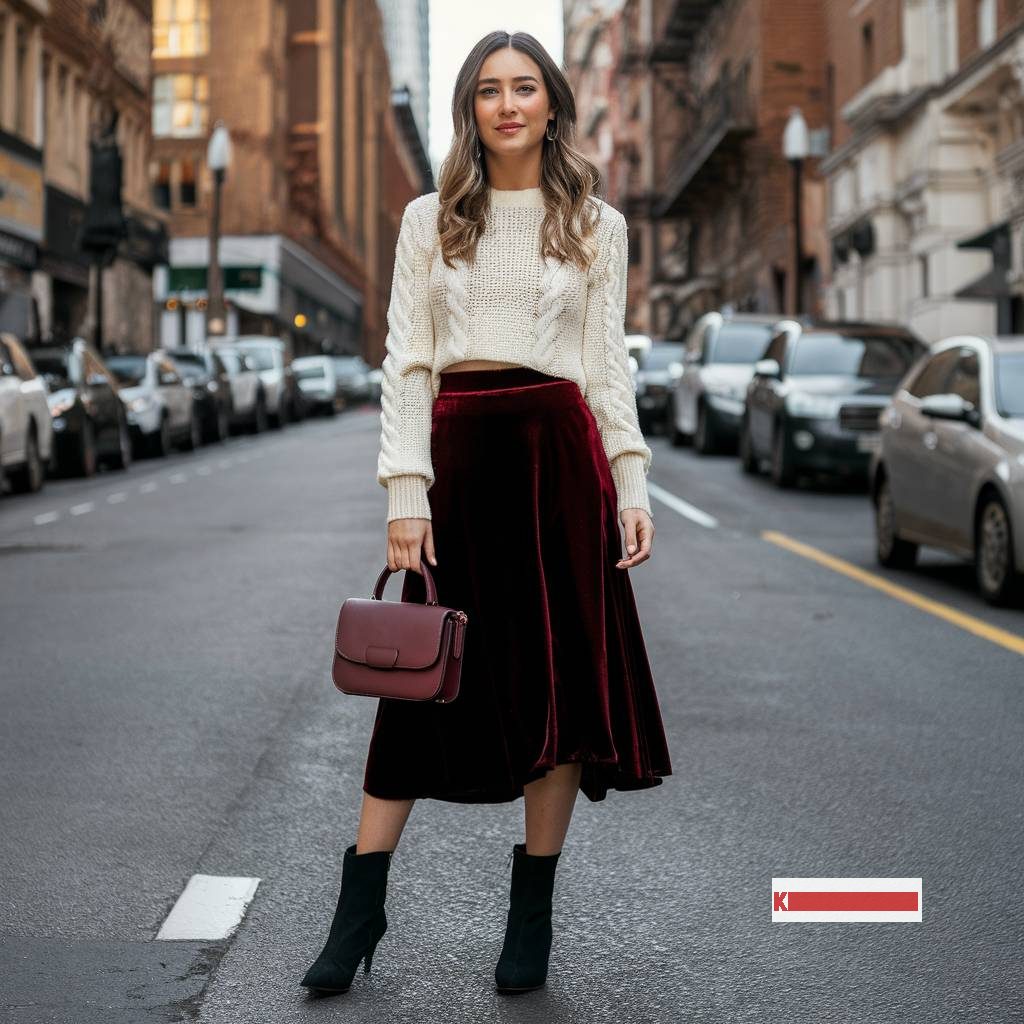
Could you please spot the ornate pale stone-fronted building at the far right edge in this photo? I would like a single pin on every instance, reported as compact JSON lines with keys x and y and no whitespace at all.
{"x":926,"y":178}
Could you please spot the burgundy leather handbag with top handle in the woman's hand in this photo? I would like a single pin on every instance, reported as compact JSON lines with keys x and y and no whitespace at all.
{"x":402,"y":650}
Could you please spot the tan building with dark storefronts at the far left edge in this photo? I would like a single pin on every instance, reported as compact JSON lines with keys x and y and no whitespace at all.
{"x":69,"y":67}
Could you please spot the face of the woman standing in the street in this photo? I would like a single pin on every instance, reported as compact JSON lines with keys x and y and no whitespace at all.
{"x":510,"y":91}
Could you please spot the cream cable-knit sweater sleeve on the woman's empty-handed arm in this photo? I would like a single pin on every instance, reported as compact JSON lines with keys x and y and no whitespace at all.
{"x":610,"y":392}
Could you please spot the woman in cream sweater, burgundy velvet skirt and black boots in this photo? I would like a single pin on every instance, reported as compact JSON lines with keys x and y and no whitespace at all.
{"x":511,"y":452}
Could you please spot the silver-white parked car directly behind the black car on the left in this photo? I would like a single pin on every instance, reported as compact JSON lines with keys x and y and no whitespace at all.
{"x":161,"y":409}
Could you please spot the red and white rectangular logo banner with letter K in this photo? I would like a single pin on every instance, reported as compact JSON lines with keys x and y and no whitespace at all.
{"x":846,"y":900}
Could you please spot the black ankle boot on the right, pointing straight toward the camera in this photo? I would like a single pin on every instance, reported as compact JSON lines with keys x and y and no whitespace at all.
{"x":524,"y":963}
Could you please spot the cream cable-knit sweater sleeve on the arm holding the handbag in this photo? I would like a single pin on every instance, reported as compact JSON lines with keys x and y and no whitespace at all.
{"x":404,"y":464}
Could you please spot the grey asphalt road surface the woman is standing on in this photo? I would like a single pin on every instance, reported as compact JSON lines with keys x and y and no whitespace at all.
{"x":168,"y":711}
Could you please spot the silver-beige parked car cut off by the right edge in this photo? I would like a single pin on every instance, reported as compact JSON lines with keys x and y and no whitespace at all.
{"x":950,"y":472}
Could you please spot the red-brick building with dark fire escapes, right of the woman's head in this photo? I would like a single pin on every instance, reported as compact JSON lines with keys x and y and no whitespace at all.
{"x":705,"y":92}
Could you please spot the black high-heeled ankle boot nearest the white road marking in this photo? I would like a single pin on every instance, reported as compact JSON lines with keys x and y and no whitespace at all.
{"x":359,"y":923}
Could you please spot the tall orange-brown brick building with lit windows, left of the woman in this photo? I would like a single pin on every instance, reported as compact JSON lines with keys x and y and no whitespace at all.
{"x":325,"y":157}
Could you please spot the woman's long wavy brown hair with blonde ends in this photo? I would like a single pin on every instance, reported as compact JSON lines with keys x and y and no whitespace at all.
{"x":569,"y":180}
